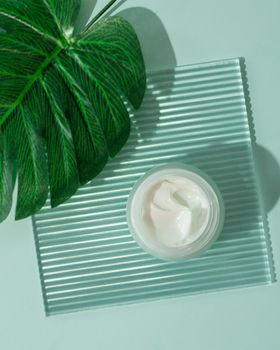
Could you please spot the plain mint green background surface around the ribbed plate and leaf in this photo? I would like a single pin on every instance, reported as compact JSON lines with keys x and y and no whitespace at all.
{"x":199,"y":30}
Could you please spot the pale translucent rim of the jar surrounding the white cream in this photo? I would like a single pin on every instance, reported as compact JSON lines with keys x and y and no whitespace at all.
{"x":215,"y":220}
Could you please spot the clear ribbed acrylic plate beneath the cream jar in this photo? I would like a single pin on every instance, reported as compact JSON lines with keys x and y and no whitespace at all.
{"x":195,"y":114}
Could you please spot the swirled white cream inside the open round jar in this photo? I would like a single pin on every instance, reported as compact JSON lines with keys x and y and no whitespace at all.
{"x":177,"y":210}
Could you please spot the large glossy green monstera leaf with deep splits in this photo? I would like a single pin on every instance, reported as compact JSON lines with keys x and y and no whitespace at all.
{"x":62,"y":99}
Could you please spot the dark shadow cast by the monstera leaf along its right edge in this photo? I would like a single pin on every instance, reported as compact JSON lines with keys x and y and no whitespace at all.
{"x":159,"y":57}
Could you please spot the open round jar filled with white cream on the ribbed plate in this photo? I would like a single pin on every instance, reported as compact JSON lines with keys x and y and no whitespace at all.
{"x":151,"y":225}
